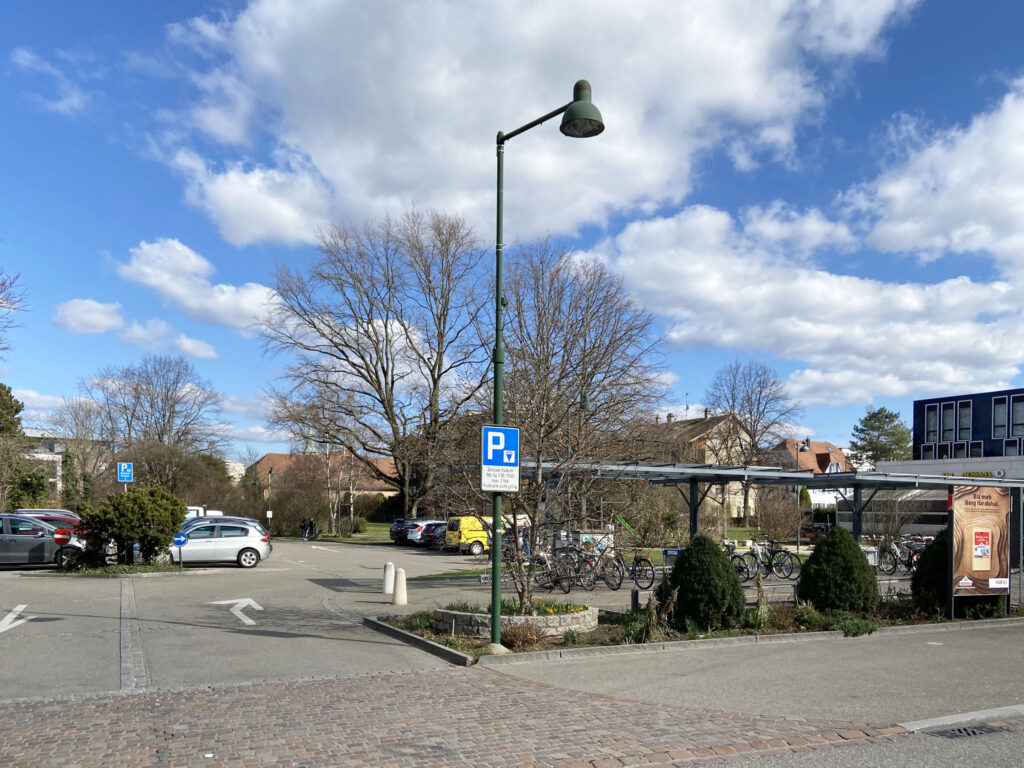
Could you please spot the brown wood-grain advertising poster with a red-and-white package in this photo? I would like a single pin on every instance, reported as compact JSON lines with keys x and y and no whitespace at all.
{"x":982,"y":546}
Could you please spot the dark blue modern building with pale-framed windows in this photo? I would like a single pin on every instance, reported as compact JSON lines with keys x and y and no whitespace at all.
{"x":969,"y":426}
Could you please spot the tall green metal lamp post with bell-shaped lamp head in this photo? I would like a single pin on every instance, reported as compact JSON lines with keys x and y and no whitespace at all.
{"x":580,"y":120}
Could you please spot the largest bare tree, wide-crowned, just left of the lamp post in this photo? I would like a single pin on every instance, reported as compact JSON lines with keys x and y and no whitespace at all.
{"x":382,"y":333}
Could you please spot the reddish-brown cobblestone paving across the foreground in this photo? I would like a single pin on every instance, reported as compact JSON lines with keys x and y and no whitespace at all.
{"x":451,"y":718}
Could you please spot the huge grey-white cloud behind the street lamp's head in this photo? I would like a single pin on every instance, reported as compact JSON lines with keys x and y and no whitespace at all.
{"x":373,"y":112}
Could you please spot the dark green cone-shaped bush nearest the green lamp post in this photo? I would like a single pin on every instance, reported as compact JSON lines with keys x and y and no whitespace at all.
{"x":710,"y":593}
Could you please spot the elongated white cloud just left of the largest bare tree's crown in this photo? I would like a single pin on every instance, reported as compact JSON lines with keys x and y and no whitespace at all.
{"x":181,"y":276}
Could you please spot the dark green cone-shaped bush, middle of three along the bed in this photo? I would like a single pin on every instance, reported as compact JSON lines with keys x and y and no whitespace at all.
{"x":838,"y":577}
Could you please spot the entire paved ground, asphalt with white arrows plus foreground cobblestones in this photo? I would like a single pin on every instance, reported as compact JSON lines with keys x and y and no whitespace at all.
{"x":225,"y":667}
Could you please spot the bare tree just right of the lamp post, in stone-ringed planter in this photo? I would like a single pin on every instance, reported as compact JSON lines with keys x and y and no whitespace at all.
{"x":574,"y":336}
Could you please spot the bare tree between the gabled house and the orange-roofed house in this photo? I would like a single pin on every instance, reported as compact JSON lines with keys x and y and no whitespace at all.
{"x":764,"y":413}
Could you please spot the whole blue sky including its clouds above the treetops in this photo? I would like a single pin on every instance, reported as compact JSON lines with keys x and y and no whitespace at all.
{"x":835,"y":189}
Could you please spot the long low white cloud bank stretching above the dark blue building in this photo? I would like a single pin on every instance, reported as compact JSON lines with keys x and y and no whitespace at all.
{"x":859,"y":338}
